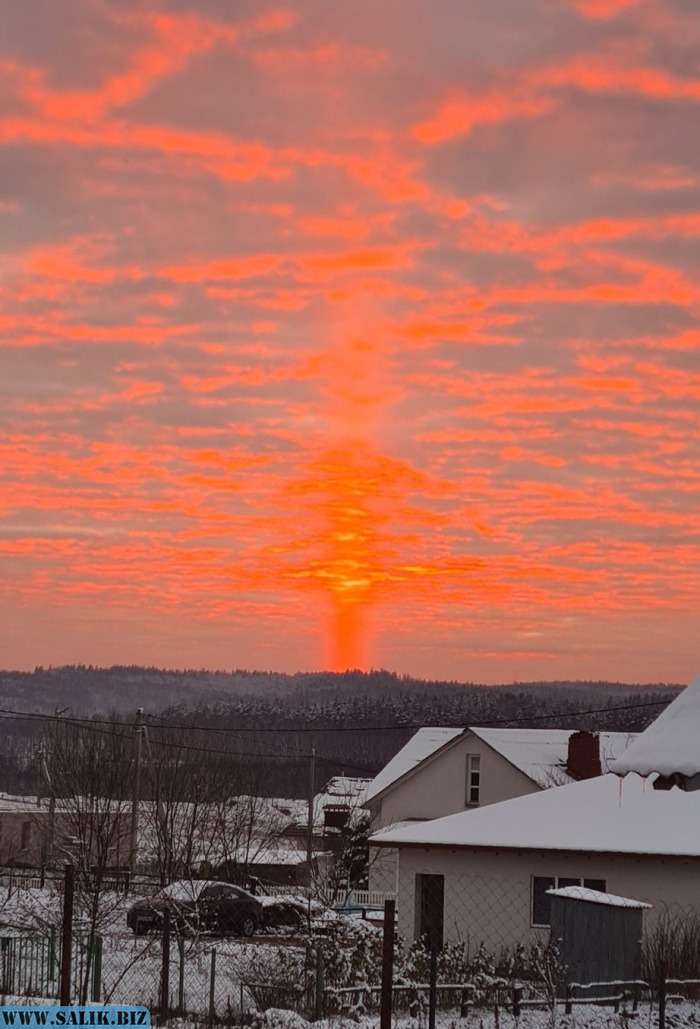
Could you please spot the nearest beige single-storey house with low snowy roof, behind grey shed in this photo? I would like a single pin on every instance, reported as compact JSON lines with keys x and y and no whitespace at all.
{"x":484,"y":875}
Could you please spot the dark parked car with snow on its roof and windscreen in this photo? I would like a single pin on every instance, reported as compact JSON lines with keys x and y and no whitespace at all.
{"x":198,"y":906}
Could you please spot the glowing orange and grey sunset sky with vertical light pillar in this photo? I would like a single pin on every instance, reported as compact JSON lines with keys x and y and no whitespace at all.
{"x":352,"y":335}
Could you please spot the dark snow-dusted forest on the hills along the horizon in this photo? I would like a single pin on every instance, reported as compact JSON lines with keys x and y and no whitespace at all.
{"x":267,"y":724}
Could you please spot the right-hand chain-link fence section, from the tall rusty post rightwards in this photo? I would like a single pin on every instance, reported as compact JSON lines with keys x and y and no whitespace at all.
{"x":528,"y":950}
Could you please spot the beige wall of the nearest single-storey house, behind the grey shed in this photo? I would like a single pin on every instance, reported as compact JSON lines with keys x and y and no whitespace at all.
{"x":488,"y":893}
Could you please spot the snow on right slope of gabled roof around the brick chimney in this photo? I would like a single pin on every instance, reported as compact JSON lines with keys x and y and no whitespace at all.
{"x":542,"y":754}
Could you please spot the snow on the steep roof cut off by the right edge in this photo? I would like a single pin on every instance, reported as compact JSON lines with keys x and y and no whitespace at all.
{"x":672,"y":744}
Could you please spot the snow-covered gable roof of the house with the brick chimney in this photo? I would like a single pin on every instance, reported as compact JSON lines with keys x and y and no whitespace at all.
{"x":539,"y":754}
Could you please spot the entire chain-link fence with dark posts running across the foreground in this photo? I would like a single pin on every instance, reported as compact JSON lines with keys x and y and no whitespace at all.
{"x":448,"y":949}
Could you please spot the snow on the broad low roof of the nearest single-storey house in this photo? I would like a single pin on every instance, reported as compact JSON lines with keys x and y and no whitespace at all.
{"x":598,"y":815}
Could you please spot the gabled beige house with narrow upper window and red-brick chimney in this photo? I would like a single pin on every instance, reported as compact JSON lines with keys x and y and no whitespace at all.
{"x":444,"y":771}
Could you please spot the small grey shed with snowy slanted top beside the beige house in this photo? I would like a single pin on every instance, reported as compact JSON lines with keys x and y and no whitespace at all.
{"x":599,"y":935}
